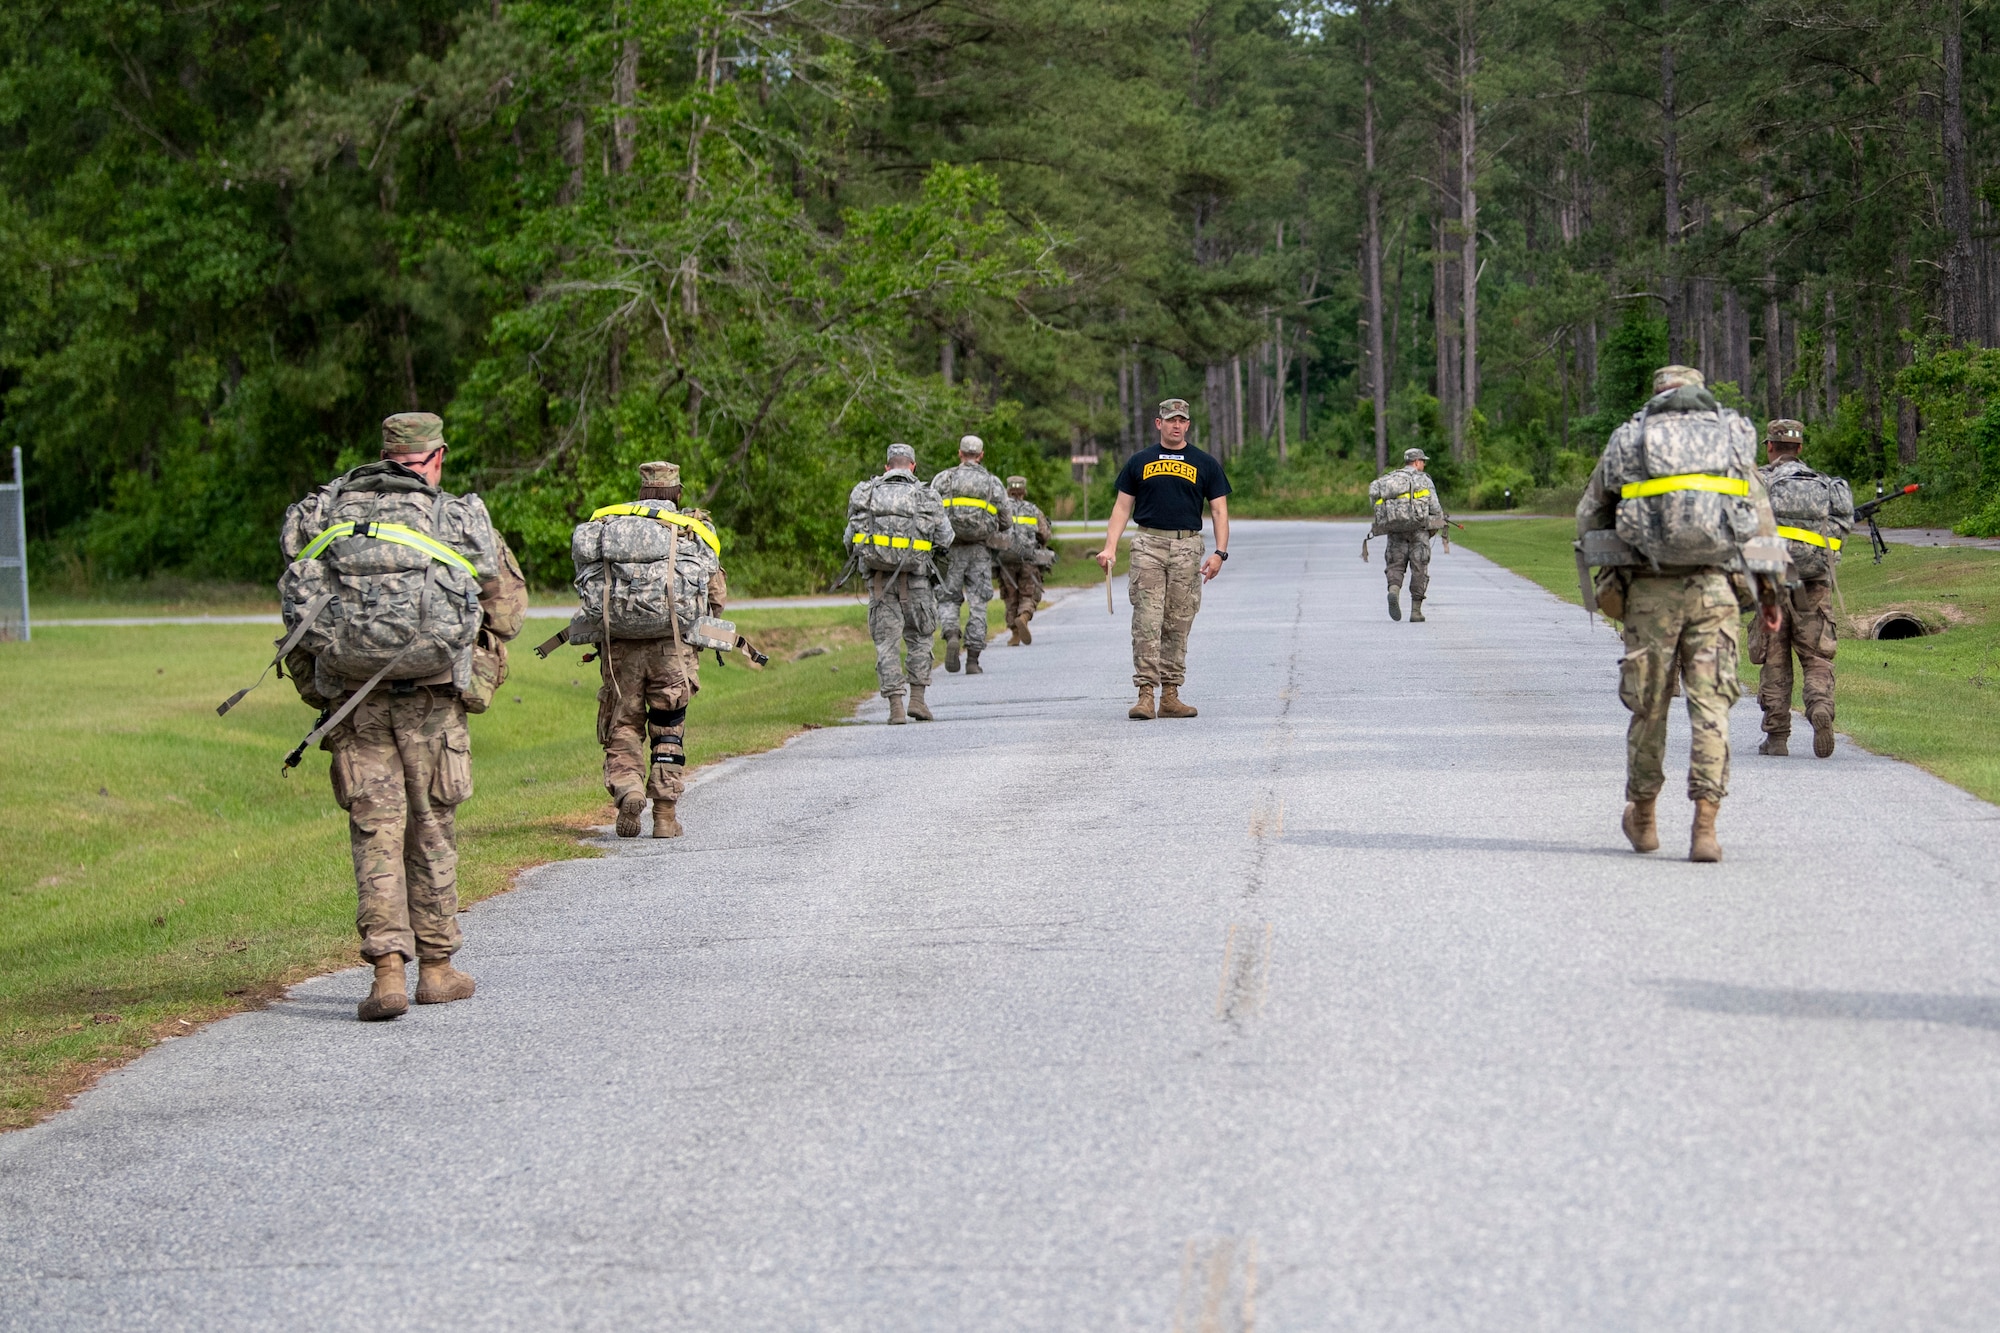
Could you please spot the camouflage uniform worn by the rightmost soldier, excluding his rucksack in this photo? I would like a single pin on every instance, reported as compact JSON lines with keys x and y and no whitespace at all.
{"x":1809,"y":619}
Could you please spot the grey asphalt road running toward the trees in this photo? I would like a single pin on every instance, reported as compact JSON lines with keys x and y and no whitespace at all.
{"x":1337,"y":1008}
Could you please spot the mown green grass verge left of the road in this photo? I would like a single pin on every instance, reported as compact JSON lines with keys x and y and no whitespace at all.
{"x":157,"y":872}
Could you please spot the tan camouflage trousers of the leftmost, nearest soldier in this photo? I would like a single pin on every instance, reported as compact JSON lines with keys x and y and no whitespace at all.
{"x":401,"y":766}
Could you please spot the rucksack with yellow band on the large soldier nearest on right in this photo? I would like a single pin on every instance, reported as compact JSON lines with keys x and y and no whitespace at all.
{"x":1683,"y":465}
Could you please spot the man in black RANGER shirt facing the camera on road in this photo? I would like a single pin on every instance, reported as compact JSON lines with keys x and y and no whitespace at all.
{"x":1163,"y":491}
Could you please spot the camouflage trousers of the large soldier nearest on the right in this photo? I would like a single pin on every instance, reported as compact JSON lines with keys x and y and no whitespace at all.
{"x":1679,"y":627}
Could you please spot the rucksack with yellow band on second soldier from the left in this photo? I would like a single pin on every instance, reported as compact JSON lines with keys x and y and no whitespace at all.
{"x":643,"y":573}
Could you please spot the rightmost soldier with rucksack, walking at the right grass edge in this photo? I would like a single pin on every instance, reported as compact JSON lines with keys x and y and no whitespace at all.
{"x":1815,"y":517}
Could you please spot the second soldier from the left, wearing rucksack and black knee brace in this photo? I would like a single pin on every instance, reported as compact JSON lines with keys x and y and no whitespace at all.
{"x":647,"y":575}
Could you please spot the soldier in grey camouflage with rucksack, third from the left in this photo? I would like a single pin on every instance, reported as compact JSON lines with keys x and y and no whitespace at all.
{"x":895,"y":529}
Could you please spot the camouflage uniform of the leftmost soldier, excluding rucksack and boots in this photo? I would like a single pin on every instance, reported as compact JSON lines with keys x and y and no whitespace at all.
{"x":403,"y":758}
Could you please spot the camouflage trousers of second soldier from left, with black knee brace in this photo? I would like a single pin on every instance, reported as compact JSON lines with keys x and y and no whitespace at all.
{"x":645,"y":694}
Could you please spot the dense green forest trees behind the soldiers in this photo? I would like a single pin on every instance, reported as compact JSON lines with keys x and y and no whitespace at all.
{"x":769,"y":241}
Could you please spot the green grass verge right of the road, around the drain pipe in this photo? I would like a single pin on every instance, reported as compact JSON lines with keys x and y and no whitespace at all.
{"x":1929,"y":702}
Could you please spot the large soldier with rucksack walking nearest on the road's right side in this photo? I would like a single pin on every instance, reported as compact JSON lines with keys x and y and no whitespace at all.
{"x":1679,"y":485}
